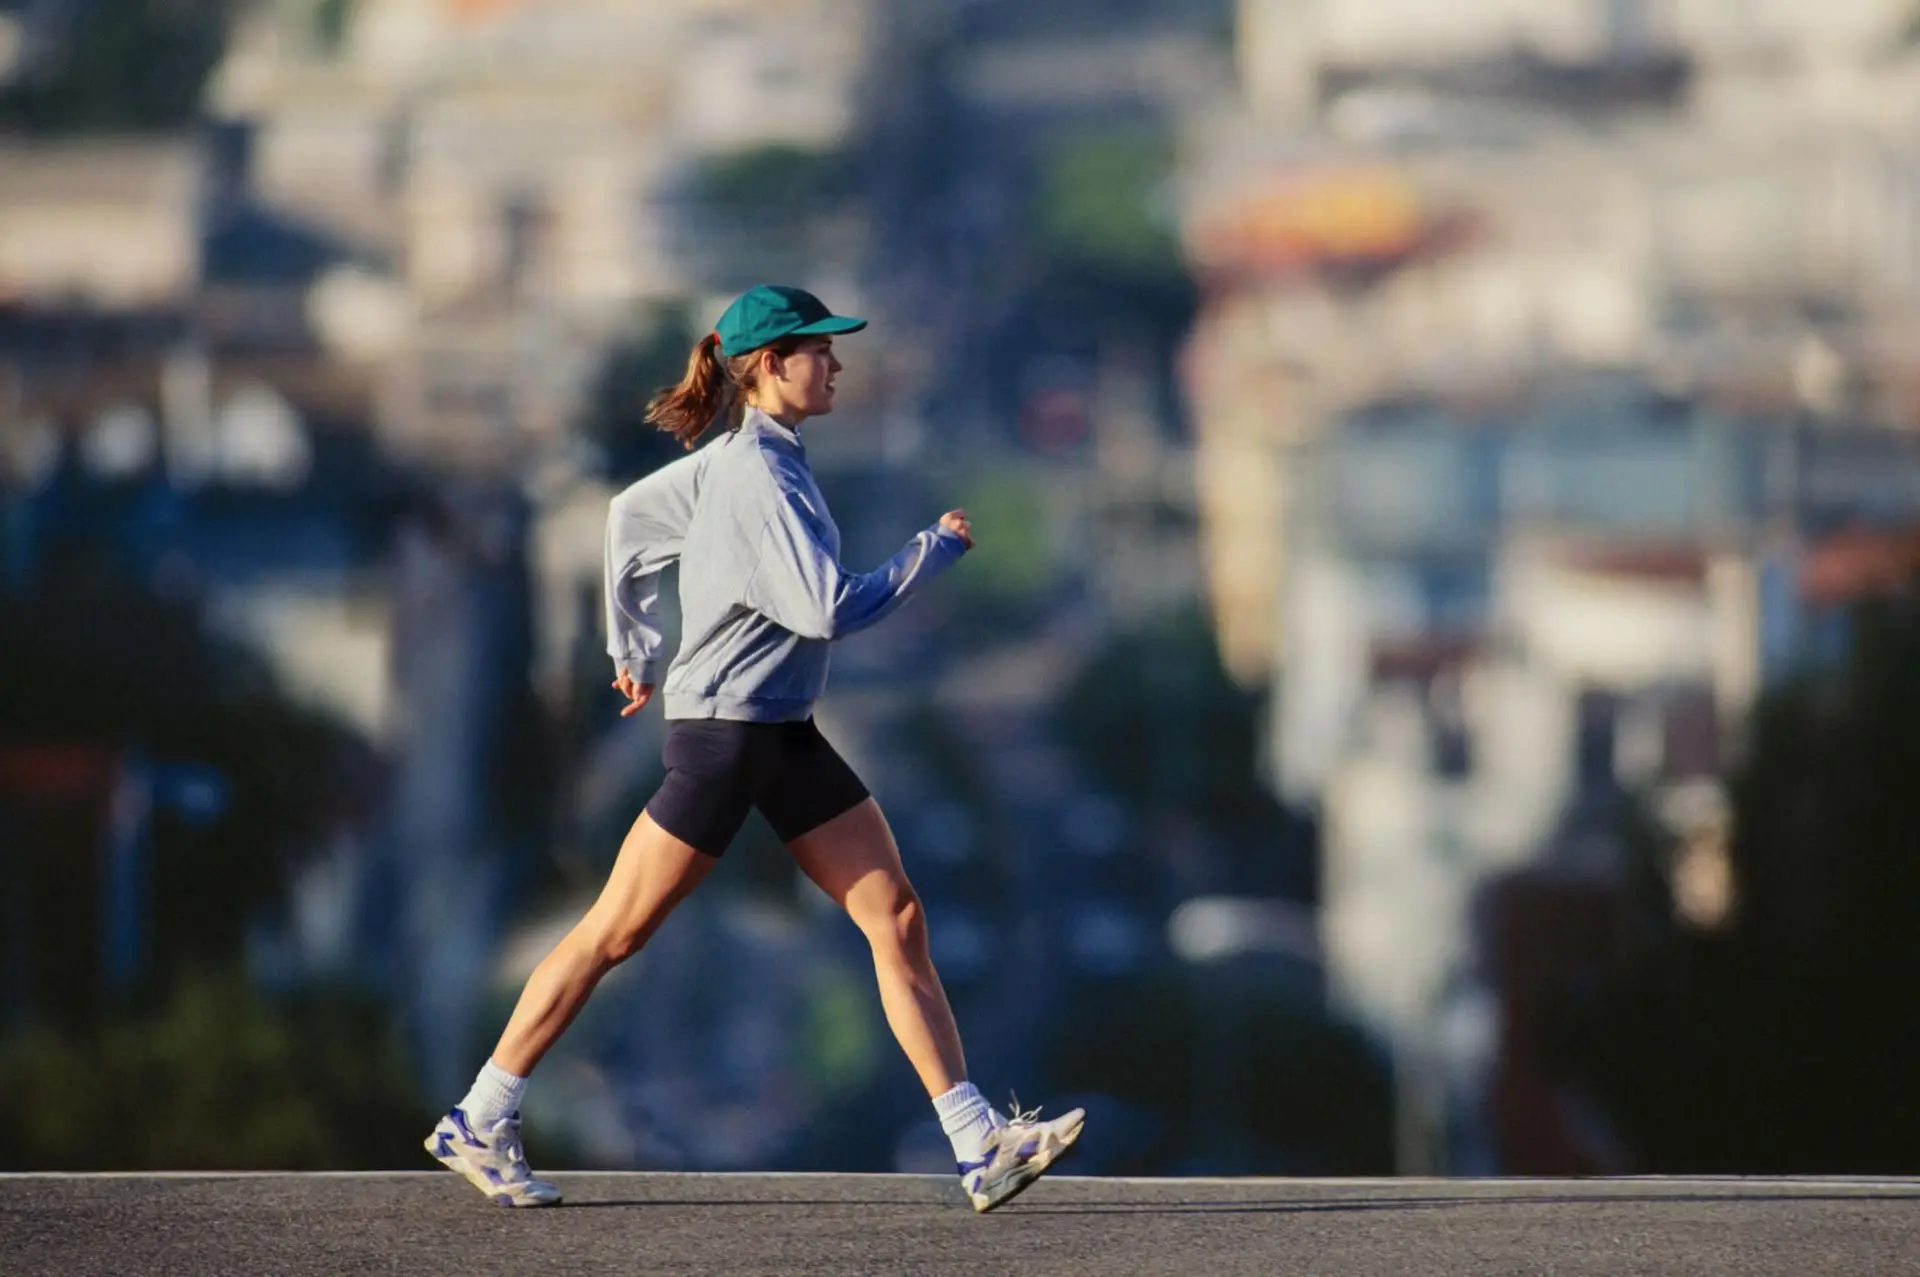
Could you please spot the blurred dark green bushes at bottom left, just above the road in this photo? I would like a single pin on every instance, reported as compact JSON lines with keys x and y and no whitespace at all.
{"x":214,"y":1080}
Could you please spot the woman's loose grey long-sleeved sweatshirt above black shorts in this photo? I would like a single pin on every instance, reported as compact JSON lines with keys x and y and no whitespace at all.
{"x":761,"y":587}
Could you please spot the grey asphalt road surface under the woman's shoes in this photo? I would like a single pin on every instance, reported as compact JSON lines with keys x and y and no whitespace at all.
{"x":903,"y":1224}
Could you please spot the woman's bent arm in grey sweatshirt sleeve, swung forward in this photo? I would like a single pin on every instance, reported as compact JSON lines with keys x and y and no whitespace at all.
{"x":804,"y":587}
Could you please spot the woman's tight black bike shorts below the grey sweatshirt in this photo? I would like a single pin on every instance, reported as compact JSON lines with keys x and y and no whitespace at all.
{"x":717,"y":769}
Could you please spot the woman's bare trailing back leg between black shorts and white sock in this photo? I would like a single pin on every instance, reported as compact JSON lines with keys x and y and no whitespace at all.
{"x":654,"y":873}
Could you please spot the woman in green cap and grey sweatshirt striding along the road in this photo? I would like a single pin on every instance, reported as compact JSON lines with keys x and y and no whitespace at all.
{"x":763,"y":596}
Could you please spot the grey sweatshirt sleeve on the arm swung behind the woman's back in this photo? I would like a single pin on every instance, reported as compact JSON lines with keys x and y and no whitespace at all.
{"x":646,"y":529}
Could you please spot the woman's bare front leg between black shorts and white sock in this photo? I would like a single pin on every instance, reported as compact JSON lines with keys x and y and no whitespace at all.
{"x":855,"y":861}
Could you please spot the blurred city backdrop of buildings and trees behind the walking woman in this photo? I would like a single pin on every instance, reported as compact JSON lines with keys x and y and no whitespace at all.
{"x":1439,"y":690}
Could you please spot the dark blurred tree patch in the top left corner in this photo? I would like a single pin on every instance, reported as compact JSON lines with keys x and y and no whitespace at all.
{"x":126,"y":66}
